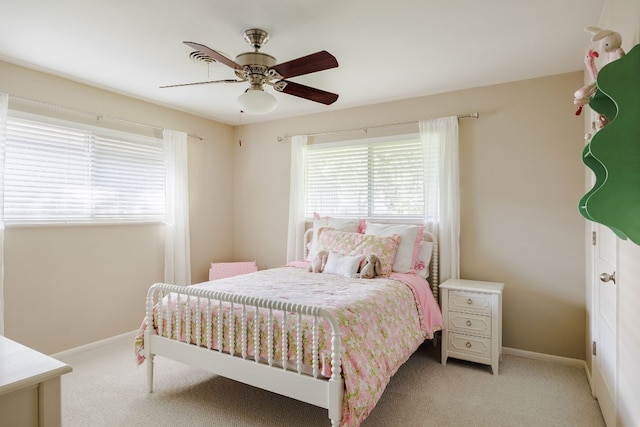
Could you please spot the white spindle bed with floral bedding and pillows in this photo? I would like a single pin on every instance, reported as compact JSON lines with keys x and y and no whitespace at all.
{"x":332,"y":338}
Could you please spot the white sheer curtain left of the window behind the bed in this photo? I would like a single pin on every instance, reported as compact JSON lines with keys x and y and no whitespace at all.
{"x":295,"y":246}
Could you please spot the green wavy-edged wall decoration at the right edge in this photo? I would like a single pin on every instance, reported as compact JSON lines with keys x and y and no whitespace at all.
{"x":614,"y":151}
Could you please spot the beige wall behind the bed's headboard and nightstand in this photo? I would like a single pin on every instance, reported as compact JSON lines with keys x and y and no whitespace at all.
{"x":521,"y":179}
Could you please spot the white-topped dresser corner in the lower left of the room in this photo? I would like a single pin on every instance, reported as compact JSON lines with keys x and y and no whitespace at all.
{"x":29,"y":386}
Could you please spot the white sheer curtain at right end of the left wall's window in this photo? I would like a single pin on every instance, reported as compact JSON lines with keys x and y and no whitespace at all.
{"x":177,"y":255}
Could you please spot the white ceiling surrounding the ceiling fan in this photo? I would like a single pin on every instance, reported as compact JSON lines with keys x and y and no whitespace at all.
{"x":387,"y":49}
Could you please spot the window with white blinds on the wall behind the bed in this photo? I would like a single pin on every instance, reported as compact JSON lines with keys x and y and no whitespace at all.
{"x":377,"y":179}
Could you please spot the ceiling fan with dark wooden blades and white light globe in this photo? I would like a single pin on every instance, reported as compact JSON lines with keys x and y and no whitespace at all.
{"x":259,"y":69}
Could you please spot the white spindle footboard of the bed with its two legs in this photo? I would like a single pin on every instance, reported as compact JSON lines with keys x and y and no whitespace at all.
{"x":238,"y":337}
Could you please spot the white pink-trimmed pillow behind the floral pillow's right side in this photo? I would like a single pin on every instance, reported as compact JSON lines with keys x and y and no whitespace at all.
{"x":410,"y":238}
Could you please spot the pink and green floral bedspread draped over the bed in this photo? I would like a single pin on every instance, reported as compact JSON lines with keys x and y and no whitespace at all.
{"x":382,"y":322}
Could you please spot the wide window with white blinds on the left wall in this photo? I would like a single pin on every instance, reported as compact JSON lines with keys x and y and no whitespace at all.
{"x":63,"y":172}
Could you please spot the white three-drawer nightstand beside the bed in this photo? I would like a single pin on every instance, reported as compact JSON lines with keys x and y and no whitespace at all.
{"x":472,"y":318}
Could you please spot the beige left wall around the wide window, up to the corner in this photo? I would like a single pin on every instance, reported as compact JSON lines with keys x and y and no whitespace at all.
{"x":67,"y":286}
